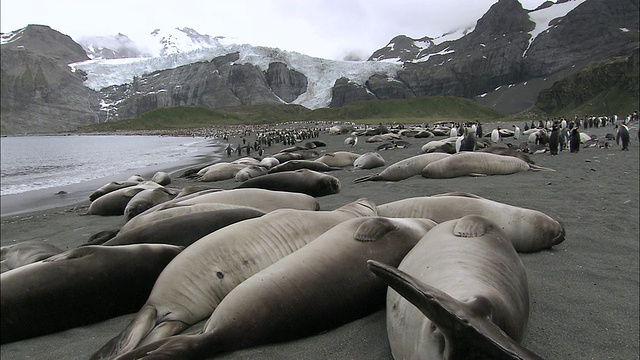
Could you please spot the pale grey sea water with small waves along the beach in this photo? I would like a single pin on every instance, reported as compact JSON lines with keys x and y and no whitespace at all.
{"x":39,"y":162}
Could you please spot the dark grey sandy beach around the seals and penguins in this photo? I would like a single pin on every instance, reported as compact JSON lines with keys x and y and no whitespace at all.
{"x":584,"y":292}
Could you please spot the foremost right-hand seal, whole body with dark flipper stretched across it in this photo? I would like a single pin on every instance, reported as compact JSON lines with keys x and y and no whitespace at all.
{"x":465,"y":276}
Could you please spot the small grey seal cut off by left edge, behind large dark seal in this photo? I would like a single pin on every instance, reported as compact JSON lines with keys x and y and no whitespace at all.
{"x":25,"y":253}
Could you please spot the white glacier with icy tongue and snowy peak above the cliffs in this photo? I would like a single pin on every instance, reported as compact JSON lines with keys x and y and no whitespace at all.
{"x":185,"y":46}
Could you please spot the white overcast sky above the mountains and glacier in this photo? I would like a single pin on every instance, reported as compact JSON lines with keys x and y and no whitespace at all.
{"x":329,"y":29}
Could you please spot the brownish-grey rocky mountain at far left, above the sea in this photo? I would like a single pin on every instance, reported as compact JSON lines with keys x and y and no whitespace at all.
{"x":39,"y":93}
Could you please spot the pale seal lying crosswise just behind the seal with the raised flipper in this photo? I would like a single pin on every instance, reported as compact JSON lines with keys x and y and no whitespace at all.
{"x":529,"y":230}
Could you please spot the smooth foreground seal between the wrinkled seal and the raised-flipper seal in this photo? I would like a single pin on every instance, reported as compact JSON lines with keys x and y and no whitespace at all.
{"x":282,"y":303}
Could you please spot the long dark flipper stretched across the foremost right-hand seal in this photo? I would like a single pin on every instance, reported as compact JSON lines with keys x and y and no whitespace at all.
{"x":465,"y":326}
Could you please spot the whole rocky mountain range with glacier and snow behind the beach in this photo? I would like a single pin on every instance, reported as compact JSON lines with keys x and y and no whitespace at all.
{"x":505,"y":61}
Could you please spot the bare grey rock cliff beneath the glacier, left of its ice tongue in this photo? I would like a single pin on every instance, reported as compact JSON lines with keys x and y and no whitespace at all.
{"x":214,"y":84}
